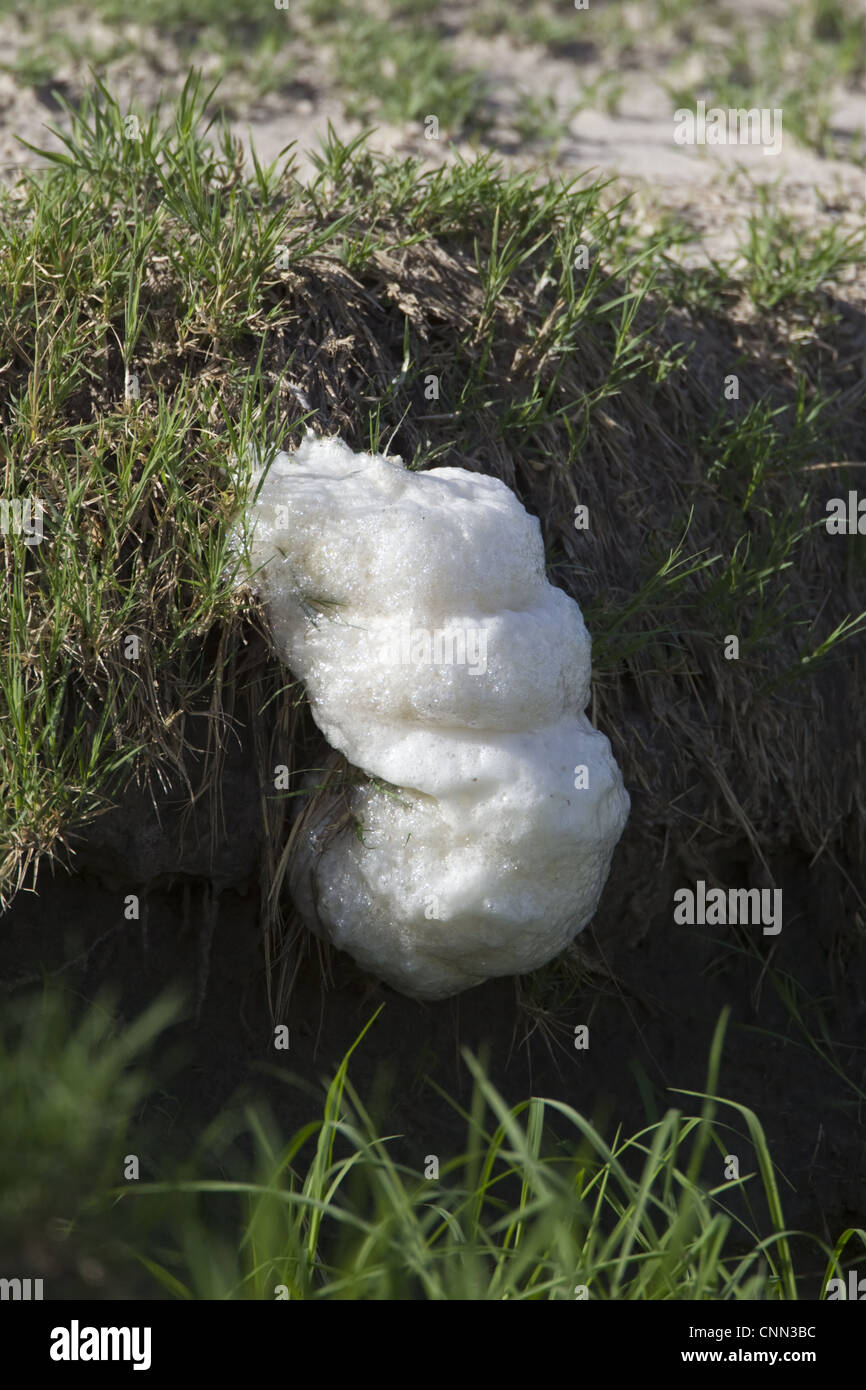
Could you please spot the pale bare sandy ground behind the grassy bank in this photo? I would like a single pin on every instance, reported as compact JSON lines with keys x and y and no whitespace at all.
{"x":711,"y":190}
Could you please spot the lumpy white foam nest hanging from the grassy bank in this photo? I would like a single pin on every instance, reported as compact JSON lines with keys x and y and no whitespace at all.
{"x":441,"y":662}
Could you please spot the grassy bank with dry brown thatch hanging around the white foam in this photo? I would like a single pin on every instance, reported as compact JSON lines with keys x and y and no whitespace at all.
{"x":165,"y":308}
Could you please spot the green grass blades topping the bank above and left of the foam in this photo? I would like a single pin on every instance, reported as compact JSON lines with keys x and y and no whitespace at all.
{"x":155,"y":265}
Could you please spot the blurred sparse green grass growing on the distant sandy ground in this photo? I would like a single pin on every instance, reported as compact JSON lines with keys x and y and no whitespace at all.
{"x":407,"y":63}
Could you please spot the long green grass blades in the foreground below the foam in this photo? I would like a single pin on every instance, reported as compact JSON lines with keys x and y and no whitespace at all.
{"x":539,"y":1206}
